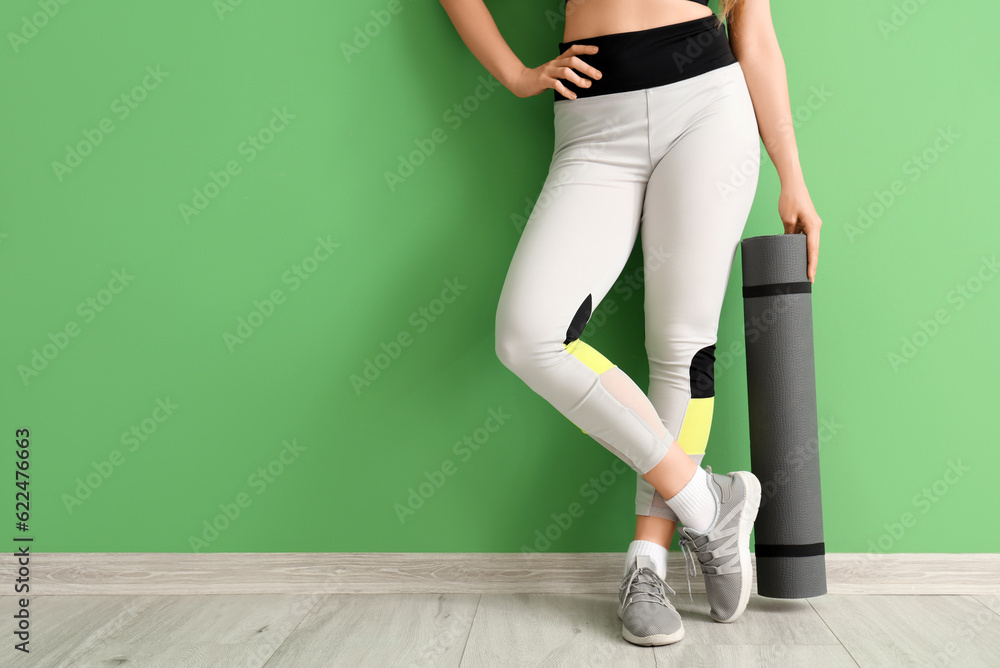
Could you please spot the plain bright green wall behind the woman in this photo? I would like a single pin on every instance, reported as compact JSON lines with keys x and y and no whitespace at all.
{"x":236,"y":172}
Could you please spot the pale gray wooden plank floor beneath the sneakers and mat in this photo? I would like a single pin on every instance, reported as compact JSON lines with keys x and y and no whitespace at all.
{"x":272,"y":630}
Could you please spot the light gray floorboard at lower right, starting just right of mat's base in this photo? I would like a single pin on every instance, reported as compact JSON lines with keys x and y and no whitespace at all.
{"x":913,"y":630}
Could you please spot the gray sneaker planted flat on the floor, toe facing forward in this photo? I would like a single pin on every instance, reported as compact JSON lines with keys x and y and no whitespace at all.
{"x":648,"y":617}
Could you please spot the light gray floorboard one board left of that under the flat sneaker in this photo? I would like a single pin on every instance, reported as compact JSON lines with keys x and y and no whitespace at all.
{"x":381,"y":630}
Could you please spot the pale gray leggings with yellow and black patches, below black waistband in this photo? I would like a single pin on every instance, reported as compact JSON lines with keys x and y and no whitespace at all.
{"x":677,"y":164}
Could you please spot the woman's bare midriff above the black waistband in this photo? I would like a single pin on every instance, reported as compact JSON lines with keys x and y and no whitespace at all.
{"x":590,"y":18}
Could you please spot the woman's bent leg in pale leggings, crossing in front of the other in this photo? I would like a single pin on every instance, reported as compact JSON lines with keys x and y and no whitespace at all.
{"x":573,"y":247}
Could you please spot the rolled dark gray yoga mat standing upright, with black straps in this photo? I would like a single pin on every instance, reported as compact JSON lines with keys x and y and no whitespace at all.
{"x":784,"y":438}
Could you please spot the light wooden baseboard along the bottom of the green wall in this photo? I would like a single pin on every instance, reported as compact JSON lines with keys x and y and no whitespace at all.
{"x":135,"y":573}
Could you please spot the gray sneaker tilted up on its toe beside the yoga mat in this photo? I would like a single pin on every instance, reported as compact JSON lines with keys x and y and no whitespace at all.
{"x":723,"y":550}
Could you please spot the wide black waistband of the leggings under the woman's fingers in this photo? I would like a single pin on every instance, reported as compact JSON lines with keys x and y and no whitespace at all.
{"x":653,"y":57}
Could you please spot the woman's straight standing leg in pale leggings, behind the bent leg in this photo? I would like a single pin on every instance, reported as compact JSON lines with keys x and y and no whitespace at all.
{"x":704,"y":132}
